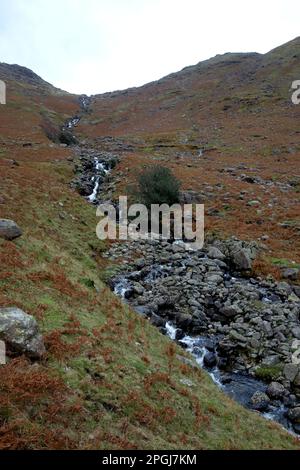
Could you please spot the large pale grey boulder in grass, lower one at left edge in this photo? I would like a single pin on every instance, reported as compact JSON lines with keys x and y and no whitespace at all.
{"x":20,"y":332}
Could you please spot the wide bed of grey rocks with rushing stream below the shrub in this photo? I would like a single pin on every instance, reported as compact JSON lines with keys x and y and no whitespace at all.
{"x":240,"y":329}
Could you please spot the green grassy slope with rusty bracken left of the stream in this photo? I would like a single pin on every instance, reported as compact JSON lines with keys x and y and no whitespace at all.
{"x":110,"y":379}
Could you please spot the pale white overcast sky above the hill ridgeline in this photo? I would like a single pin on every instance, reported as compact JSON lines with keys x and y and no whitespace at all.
{"x":94,"y":46}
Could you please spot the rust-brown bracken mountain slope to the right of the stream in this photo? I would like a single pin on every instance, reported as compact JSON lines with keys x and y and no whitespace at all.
{"x":229,"y":131}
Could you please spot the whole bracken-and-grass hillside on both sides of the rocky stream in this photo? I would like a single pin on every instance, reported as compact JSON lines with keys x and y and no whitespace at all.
{"x":109,"y":378}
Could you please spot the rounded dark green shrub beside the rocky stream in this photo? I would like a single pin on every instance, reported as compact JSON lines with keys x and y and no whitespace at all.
{"x":157,"y":185}
